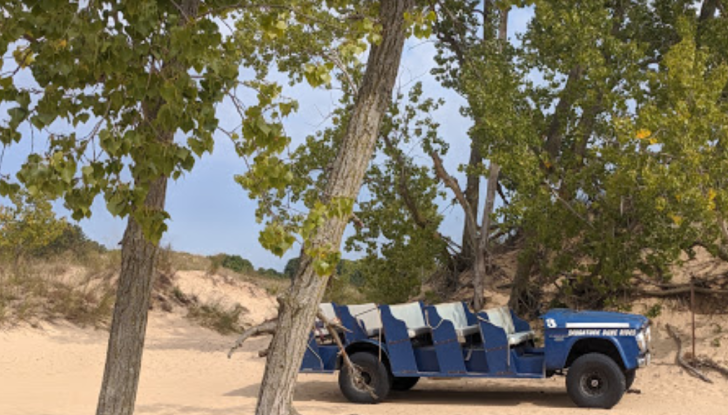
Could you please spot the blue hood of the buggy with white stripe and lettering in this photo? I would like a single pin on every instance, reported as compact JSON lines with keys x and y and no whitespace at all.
{"x":564,"y":318}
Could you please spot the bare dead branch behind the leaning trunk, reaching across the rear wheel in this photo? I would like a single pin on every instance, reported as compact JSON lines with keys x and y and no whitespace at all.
{"x":269,"y":327}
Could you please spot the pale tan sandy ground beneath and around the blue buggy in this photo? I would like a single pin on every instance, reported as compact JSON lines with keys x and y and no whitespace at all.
{"x":57,"y":371}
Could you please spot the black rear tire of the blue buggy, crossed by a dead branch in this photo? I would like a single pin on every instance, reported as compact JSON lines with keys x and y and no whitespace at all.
{"x":375,"y":375}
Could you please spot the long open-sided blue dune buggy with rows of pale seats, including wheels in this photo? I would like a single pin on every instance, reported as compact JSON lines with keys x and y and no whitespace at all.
{"x":395,"y":345}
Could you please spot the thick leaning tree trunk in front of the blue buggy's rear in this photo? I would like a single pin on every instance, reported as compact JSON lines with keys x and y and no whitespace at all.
{"x":298,"y":305}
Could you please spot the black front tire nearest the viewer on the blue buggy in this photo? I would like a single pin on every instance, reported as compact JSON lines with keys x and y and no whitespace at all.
{"x":594,"y":380}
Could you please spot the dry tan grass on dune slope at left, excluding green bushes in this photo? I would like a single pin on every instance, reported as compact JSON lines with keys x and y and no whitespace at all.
{"x":82,"y":290}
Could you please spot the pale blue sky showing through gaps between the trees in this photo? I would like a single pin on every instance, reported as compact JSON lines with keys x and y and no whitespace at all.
{"x":211,"y":214}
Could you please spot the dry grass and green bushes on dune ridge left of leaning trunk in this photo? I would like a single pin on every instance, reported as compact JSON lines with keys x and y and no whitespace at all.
{"x":50,"y":270}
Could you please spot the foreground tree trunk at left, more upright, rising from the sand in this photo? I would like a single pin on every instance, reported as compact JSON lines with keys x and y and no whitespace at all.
{"x":129,"y":323}
